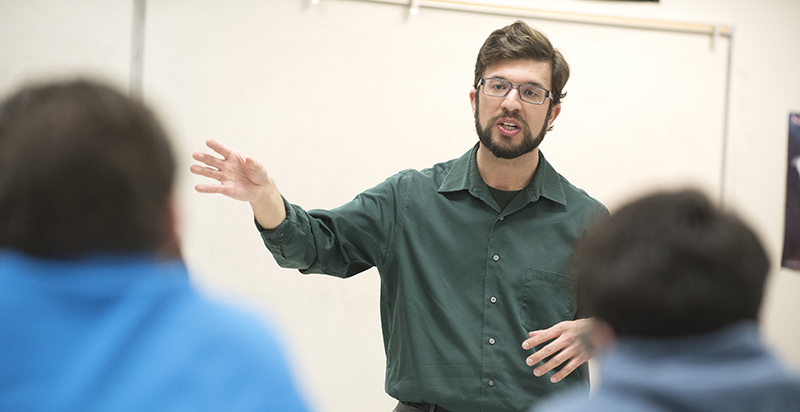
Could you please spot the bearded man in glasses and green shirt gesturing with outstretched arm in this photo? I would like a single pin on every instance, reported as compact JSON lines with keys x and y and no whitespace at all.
{"x":472,"y":253}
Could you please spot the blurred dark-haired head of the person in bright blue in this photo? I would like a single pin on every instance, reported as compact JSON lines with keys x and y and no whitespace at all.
{"x":83,"y":169}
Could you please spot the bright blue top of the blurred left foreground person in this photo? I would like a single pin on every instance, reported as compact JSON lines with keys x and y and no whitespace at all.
{"x":129,"y":333}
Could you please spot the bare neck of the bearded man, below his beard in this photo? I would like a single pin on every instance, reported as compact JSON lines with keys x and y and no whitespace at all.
{"x":507,"y":174}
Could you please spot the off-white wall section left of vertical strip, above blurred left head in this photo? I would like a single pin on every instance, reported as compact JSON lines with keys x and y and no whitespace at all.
{"x":52,"y":38}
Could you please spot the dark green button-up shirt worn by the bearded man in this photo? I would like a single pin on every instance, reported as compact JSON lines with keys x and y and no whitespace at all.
{"x":462,"y":281}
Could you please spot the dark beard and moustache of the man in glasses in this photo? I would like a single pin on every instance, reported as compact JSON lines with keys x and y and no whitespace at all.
{"x":528,"y":144}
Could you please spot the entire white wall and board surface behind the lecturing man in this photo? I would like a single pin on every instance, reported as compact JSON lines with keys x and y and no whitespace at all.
{"x":644,"y":110}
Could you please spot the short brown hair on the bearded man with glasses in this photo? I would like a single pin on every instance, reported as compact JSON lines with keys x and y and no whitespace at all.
{"x":521,"y":41}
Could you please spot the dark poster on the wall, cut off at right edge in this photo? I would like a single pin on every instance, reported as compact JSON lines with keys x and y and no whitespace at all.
{"x":791,"y":234}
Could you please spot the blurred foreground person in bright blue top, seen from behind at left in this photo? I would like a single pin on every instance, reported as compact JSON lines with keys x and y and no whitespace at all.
{"x":98,"y":311}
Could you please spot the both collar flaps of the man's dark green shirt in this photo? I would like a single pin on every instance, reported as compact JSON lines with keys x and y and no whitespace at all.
{"x":464,"y":175}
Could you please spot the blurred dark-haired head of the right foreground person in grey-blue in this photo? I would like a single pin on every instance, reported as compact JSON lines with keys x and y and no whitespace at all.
{"x":671,"y":264}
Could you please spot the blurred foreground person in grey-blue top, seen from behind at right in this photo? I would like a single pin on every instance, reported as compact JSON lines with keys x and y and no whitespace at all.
{"x":676,"y":285}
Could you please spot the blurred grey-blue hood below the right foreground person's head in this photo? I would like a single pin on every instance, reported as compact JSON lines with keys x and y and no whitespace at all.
{"x":726,"y":370}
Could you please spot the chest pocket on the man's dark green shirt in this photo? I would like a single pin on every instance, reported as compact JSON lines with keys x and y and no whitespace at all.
{"x":546,"y":299}
